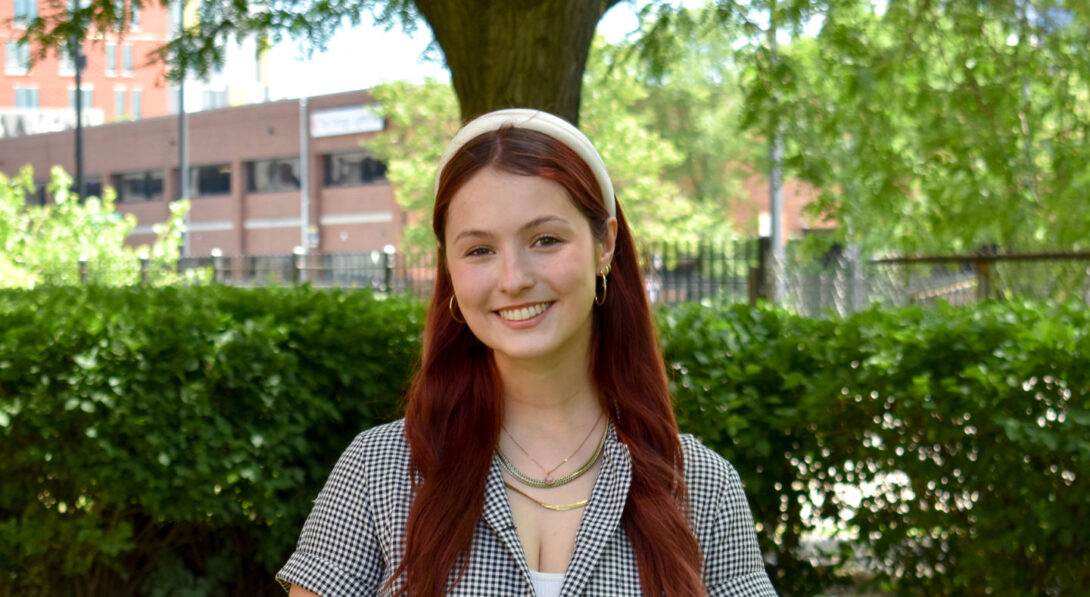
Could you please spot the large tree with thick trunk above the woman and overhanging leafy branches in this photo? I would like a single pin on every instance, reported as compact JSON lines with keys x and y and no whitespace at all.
{"x":500,"y":54}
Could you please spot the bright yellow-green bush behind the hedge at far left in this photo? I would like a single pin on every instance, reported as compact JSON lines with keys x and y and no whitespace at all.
{"x":46,"y":245}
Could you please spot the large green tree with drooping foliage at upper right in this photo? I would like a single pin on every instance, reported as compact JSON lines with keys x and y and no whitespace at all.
{"x":939,"y":127}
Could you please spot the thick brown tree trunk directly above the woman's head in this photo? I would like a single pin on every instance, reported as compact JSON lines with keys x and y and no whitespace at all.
{"x":516,"y":54}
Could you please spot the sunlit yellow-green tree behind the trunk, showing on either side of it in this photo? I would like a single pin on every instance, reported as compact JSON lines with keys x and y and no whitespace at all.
{"x":423,"y":118}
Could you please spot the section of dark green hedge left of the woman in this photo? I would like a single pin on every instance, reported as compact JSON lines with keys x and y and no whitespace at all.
{"x":153,"y":434}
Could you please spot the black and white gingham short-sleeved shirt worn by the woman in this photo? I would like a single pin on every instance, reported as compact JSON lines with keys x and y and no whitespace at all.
{"x":354,"y":539}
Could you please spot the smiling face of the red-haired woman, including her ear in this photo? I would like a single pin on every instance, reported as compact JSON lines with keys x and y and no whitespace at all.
{"x":524,"y":263}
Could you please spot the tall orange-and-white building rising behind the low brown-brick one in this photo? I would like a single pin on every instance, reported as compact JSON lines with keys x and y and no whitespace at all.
{"x":120,"y":81}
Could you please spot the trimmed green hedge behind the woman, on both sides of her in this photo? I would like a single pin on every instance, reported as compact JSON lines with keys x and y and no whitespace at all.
{"x":169,"y":442}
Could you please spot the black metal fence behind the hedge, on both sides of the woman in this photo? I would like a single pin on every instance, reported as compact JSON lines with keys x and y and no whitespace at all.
{"x":840,"y":282}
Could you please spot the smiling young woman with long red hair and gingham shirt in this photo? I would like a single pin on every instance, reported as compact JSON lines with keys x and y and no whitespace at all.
{"x":539,"y":454}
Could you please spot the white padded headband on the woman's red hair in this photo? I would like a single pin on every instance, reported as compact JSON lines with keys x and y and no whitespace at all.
{"x":542,"y":123}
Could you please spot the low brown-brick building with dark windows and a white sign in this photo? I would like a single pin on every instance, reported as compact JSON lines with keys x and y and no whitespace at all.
{"x":247,"y":178}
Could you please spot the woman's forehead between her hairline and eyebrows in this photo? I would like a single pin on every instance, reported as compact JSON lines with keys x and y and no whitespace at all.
{"x":495,"y":201}
